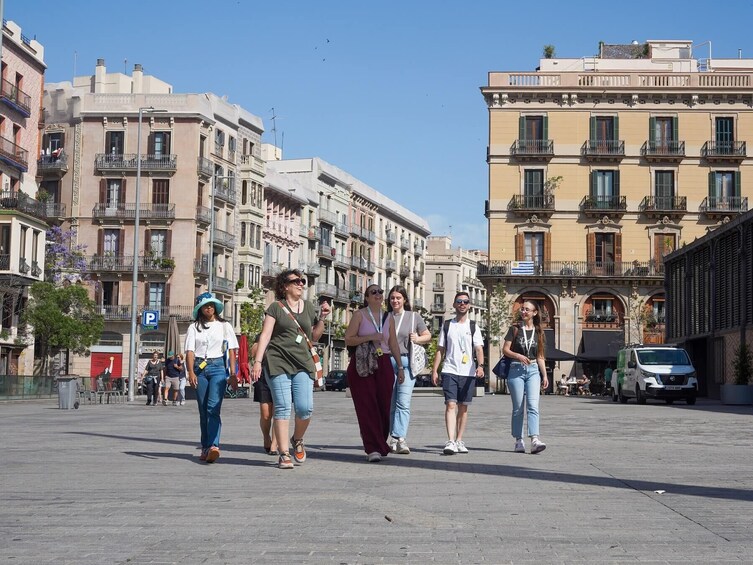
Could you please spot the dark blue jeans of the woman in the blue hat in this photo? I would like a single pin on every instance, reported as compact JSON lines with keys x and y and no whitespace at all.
{"x":210,"y":390}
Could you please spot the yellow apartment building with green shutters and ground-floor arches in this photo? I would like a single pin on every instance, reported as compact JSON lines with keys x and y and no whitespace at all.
{"x":598,"y":168}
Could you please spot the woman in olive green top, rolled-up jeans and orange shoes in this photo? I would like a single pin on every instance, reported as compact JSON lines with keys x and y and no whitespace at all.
{"x":290,"y":368}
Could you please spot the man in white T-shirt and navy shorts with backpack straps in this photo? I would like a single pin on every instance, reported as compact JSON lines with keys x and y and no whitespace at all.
{"x":457,"y":342}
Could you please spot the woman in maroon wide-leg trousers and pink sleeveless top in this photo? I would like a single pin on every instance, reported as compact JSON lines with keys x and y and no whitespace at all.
{"x":372,"y":394}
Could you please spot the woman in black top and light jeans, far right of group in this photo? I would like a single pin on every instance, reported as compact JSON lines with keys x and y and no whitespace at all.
{"x":526,"y":345}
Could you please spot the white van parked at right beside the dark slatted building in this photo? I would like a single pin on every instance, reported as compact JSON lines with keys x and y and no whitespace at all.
{"x":661,"y":372}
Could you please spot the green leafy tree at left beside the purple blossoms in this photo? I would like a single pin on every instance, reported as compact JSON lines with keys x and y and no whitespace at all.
{"x":61,"y":317}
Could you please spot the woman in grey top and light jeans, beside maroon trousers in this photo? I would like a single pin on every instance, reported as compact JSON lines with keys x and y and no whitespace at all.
{"x":409,"y":328}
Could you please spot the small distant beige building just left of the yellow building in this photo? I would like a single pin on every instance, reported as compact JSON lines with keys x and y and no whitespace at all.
{"x":450,"y":270}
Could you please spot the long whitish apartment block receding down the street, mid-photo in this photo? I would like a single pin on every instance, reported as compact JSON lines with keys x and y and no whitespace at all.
{"x":351,"y":236}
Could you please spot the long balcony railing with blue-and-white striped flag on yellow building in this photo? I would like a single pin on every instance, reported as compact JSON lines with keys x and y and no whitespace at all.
{"x":574,"y":269}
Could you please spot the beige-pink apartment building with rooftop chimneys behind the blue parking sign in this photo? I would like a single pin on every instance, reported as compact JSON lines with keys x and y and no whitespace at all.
{"x":196,"y":153}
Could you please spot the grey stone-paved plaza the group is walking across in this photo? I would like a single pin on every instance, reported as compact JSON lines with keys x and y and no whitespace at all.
{"x":617,"y":484}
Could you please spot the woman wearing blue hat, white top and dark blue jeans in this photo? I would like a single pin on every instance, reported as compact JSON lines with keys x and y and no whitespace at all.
{"x":210,"y":359}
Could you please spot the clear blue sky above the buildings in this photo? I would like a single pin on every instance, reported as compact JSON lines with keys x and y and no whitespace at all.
{"x":387,"y":91}
